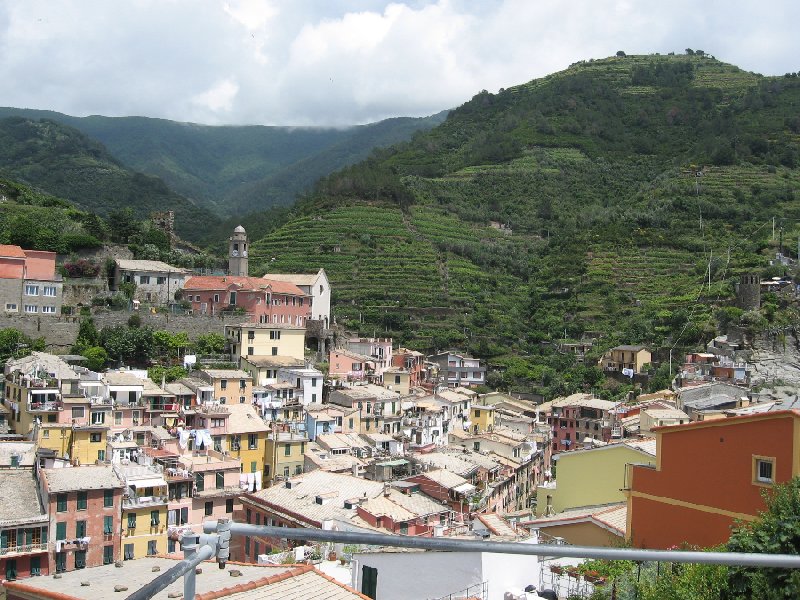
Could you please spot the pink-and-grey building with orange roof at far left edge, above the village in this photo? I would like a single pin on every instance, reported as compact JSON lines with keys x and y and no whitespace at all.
{"x":28,"y":281}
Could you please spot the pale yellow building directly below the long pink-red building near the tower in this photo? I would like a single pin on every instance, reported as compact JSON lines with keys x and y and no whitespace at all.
{"x":254,"y":339}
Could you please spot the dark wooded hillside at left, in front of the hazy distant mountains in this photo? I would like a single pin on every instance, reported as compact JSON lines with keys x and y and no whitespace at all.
{"x":66,"y":163}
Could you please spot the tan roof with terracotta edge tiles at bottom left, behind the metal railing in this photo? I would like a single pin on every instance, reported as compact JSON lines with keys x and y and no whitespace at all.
{"x":257,"y":582}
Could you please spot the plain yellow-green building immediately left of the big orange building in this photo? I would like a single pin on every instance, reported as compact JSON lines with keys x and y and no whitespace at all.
{"x":592,"y":477}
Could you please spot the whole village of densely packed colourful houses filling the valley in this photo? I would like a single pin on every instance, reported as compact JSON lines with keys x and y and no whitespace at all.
{"x":110,"y":470}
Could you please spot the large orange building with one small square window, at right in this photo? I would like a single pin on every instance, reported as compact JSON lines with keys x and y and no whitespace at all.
{"x":708,"y":474}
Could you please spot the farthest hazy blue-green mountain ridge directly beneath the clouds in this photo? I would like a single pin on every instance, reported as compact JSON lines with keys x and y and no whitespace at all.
{"x":235,"y":170}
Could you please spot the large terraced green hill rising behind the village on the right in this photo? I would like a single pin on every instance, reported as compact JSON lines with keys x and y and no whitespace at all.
{"x":616,"y":200}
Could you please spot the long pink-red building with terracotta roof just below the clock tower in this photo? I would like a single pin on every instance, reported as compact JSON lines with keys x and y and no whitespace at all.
{"x":264,"y":300}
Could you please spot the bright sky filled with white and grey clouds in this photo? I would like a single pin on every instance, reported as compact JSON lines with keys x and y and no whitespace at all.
{"x":343,"y":62}
